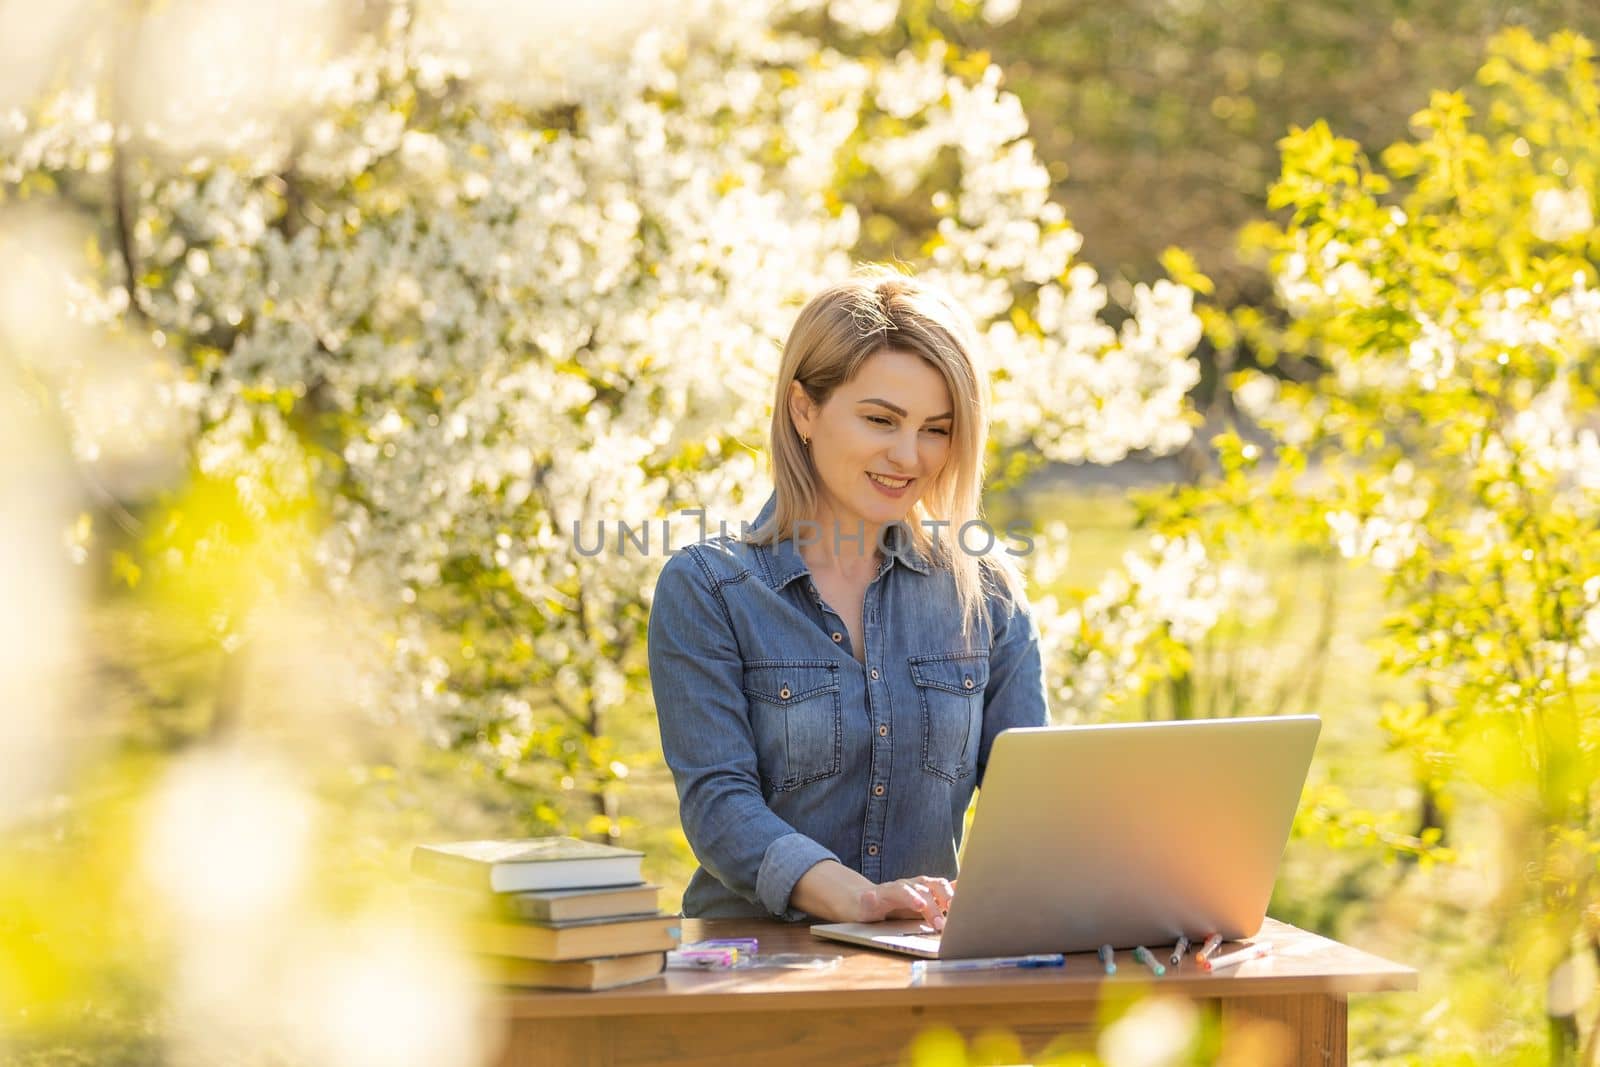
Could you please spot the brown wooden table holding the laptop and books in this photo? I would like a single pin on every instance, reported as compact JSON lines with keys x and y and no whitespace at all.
{"x":1289,"y":1007}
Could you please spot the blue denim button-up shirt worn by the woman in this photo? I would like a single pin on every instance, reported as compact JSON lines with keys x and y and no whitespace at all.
{"x":790,"y":751}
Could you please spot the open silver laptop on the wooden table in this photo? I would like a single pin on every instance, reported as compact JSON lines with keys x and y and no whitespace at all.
{"x":1126,"y":834}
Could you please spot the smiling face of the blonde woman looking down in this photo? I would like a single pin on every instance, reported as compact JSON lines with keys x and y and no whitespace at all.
{"x":881,"y":441}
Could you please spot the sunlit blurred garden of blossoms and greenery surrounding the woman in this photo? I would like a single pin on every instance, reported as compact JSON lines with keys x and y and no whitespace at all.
{"x":324,"y":322}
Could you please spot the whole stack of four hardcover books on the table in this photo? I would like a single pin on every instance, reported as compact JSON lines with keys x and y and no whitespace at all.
{"x":554,"y":913}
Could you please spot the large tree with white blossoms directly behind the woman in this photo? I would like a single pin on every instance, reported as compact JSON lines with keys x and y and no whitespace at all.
{"x":470,"y":295}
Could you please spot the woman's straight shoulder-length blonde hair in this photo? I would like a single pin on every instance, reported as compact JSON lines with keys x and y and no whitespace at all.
{"x":834,"y":335}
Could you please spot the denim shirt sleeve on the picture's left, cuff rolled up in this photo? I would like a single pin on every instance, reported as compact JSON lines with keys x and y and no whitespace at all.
{"x":697,"y":674}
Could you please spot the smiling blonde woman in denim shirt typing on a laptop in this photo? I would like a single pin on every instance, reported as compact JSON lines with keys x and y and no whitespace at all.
{"x":830,"y":685}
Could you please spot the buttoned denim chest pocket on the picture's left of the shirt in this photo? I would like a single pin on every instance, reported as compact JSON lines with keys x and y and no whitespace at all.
{"x":796,"y":717}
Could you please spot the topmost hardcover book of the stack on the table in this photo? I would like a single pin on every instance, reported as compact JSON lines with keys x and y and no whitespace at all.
{"x":545,"y":863}
